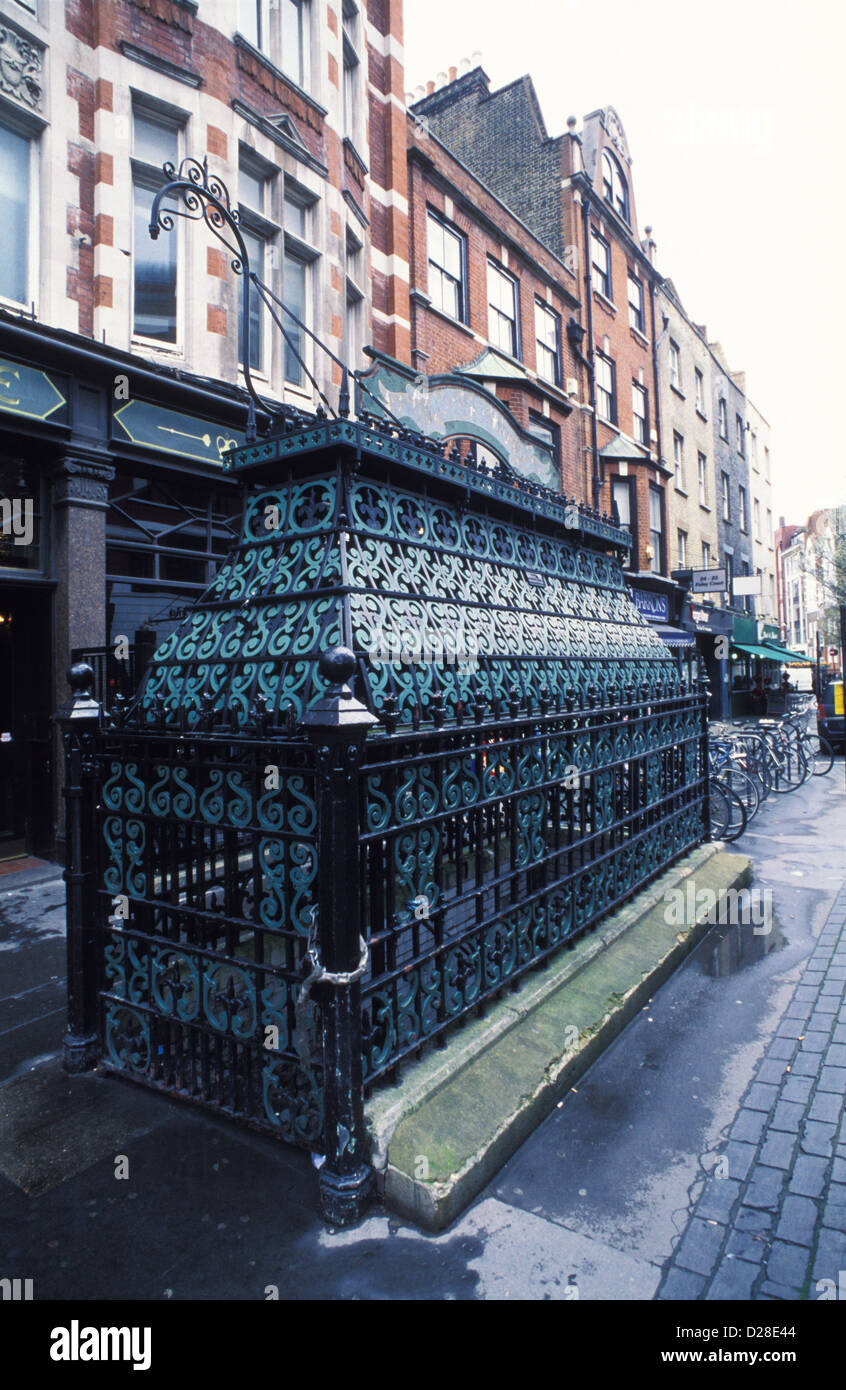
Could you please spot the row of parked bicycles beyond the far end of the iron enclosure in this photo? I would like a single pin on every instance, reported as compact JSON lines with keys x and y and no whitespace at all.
{"x":755,"y":760}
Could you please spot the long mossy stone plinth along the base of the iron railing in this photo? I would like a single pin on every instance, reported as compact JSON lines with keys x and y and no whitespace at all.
{"x":463,"y":1111}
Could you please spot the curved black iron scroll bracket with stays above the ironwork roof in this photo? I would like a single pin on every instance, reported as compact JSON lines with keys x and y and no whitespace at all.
{"x":201,"y":197}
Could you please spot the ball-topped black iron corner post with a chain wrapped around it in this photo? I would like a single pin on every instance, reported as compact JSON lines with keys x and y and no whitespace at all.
{"x":338,"y":729}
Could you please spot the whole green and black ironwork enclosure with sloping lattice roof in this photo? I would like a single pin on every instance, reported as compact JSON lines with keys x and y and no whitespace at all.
{"x":280,"y":889}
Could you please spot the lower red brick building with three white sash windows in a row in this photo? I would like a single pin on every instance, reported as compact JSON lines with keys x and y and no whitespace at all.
{"x":491,"y":302}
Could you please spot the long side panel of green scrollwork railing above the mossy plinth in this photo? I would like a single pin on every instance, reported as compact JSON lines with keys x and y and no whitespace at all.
{"x":488,"y":849}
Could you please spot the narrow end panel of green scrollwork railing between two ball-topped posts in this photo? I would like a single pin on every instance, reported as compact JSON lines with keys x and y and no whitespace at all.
{"x":205,"y":892}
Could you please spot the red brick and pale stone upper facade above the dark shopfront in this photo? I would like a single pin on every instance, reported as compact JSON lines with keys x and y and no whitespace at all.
{"x":106,"y":59}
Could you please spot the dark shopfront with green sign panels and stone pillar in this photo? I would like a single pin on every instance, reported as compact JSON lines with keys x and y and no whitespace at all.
{"x":113,"y":471}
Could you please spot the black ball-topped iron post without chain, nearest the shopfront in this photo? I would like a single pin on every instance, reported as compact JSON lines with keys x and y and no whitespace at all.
{"x":80,"y":719}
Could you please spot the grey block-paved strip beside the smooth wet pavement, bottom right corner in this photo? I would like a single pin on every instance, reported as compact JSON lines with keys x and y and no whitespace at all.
{"x":772,"y":1220}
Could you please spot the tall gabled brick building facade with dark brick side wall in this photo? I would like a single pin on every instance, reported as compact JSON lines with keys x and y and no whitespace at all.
{"x":549,"y":183}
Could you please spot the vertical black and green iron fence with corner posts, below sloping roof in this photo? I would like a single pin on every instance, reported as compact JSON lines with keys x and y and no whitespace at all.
{"x":270,"y":925}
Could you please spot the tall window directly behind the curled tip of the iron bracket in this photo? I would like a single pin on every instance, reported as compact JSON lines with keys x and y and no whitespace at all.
{"x":155,"y":262}
